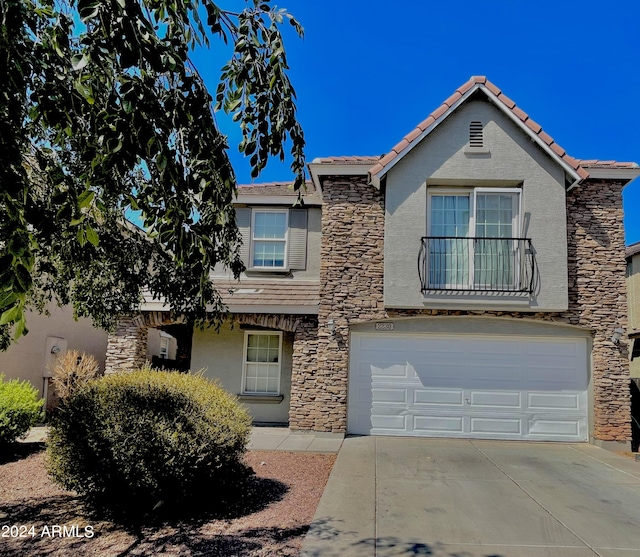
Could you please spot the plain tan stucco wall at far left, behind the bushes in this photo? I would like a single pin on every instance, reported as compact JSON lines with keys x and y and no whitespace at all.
{"x":26,"y":358}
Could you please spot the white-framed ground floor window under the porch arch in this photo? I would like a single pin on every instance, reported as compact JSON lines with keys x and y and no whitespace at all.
{"x":262,"y":362}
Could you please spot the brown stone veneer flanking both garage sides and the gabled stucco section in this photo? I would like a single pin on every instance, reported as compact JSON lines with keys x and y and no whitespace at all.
{"x":351,"y":277}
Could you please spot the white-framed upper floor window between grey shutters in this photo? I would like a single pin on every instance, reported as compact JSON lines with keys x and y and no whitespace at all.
{"x":269,"y":239}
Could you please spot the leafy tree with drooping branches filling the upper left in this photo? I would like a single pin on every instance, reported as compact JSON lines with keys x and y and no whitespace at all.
{"x":103,"y":111}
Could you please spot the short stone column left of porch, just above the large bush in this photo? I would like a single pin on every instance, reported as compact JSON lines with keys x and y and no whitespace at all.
{"x":127,"y":346}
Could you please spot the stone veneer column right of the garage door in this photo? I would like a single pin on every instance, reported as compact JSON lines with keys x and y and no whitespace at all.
{"x":597,"y":300}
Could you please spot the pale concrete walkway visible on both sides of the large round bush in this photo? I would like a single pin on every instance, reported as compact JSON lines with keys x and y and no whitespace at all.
{"x":262,"y":439}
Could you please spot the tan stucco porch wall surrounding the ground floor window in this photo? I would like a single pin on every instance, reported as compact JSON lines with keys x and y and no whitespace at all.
{"x":220,"y":355}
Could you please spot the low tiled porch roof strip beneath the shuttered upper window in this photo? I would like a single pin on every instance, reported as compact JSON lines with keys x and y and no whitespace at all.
{"x":257,"y":292}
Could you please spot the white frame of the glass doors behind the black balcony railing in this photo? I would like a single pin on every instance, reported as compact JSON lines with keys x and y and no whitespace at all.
{"x":472,"y":193}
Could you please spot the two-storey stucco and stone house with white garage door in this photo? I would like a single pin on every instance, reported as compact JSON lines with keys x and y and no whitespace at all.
{"x":470,"y":283}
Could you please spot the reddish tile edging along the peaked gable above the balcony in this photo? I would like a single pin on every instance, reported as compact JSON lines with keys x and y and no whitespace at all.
{"x":477,"y":82}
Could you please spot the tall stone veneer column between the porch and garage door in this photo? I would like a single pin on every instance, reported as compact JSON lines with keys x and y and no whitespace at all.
{"x":351,"y":278}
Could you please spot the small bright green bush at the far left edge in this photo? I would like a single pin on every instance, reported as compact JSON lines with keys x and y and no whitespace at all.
{"x":20,"y":409}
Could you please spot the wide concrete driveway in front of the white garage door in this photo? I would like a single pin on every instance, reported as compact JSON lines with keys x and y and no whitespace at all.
{"x":401,"y":496}
